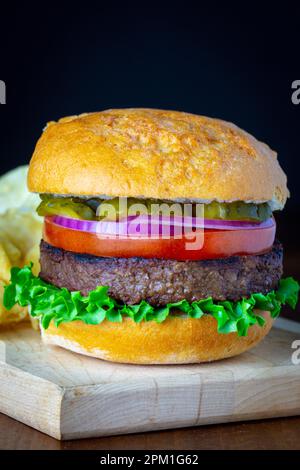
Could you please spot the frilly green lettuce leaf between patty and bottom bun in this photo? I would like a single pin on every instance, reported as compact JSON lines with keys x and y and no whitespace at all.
{"x":51,"y":303}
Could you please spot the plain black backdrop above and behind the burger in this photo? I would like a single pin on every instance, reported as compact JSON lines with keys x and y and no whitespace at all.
{"x":236,"y":62}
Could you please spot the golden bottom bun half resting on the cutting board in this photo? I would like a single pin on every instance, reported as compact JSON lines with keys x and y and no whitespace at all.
{"x":178,"y":340}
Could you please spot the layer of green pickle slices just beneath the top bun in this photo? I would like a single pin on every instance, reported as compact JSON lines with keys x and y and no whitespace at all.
{"x":80,"y":208}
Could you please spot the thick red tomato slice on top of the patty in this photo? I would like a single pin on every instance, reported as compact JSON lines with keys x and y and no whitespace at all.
{"x":216,"y":243}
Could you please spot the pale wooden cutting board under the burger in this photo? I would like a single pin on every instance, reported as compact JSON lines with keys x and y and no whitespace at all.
{"x":69,"y":396}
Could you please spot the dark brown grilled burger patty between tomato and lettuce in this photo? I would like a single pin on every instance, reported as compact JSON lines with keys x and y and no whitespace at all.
{"x":160,"y":281}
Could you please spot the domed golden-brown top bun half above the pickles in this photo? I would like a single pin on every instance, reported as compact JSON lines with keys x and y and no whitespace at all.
{"x":155,"y":154}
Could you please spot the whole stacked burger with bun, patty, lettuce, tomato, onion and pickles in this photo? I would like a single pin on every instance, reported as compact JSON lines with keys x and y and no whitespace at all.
{"x":159,"y":239}
